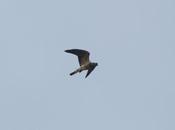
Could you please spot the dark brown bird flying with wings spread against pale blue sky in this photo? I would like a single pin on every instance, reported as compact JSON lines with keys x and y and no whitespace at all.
{"x":84,"y":61}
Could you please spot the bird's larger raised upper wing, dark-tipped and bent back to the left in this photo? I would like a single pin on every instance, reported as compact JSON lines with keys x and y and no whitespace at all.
{"x":83,"y":55}
